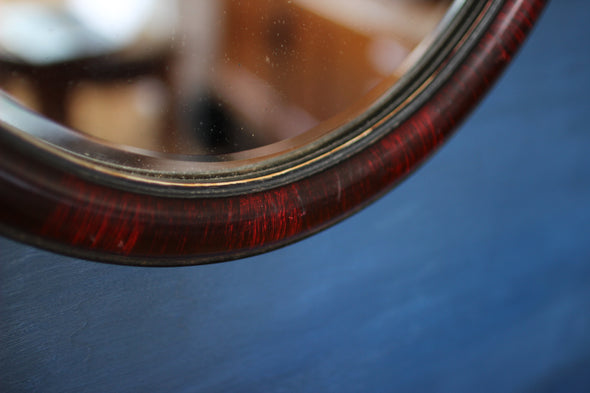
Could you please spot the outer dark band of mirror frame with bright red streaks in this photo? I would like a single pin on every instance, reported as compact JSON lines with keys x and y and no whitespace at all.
{"x":48,"y":207}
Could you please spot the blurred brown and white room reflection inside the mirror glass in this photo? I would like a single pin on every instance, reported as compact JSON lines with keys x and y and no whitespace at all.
{"x":207,"y":77}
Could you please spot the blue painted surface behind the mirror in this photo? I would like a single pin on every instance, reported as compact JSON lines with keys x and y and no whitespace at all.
{"x":473,"y":275}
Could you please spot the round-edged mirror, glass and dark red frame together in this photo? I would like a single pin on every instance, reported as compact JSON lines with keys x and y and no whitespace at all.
{"x":179,"y":132}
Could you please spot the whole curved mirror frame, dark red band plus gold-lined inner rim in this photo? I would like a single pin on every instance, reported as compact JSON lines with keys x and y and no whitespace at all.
{"x":107,"y":213}
